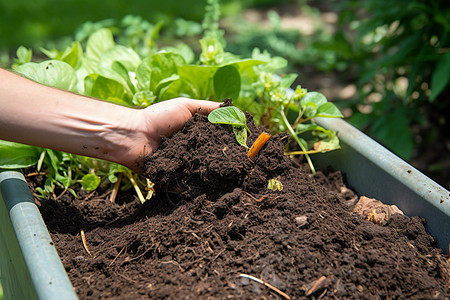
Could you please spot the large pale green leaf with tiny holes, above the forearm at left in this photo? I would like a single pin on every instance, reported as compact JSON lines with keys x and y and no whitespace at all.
{"x":51,"y":72}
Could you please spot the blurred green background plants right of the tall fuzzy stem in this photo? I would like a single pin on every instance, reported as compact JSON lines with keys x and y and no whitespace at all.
{"x":280,"y":41}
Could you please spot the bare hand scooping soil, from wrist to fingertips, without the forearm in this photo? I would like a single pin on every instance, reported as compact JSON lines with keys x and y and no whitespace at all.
{"x":160,"y":119}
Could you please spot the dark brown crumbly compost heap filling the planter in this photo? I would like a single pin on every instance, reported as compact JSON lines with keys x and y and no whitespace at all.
{"x":213,"y":219}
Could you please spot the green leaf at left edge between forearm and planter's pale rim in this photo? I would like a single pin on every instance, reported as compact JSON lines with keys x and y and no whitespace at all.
{"x":15,"y":155}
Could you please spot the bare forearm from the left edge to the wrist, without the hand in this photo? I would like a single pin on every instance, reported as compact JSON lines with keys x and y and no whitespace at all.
{"x":46,"y":117}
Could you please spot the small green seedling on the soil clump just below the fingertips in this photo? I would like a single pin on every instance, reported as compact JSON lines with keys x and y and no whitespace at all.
{"x":233,"y":116}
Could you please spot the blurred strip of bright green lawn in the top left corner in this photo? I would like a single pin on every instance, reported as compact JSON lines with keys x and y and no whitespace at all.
{"x":32,"y":23}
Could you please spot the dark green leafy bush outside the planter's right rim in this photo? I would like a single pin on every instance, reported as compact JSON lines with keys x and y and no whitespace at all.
{"x":400,"y":53}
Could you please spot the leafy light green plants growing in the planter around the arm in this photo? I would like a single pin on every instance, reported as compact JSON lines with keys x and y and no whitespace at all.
{"x":131,"y":69}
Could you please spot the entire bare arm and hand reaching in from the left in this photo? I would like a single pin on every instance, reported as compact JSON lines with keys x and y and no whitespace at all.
{"x":38,"y":115}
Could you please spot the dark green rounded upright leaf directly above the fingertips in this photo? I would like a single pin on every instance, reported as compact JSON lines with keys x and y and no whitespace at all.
{"x":227,"y":83}
